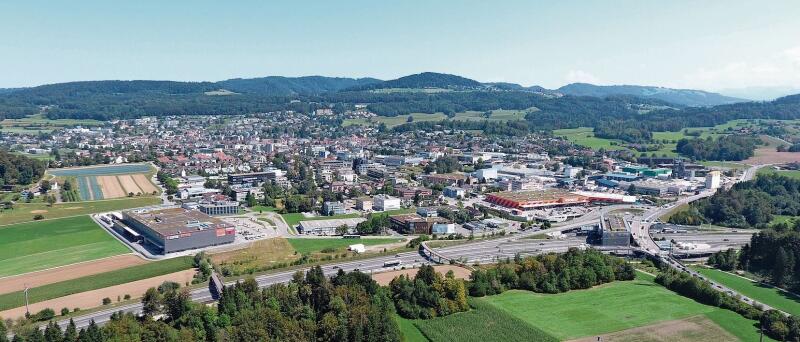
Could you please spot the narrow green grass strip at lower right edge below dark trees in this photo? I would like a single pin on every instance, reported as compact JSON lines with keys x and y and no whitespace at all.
{"x":763,"y":293}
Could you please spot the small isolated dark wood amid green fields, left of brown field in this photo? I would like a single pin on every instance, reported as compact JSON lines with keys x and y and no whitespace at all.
{"x":727,"y":147}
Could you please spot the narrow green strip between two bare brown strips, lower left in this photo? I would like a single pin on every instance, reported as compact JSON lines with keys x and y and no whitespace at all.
{"x":97,"y":281}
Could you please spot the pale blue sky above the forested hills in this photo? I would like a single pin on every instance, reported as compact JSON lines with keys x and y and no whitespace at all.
{"x":692,"y":44}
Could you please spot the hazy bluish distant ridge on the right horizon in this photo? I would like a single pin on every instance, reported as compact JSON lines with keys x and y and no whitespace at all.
{"x":685,"y":97}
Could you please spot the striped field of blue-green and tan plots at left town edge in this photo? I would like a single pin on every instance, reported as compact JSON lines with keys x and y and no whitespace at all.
{"x":109,"y":182}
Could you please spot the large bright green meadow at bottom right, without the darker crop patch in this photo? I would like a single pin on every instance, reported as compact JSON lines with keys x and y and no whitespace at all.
{"x":609,"y":308}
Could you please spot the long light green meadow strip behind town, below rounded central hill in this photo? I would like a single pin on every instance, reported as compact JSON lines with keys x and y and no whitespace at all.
{"x":391,"y":121}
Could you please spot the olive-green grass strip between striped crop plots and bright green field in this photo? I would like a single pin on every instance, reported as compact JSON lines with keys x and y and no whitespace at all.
{"x":24,"y":212}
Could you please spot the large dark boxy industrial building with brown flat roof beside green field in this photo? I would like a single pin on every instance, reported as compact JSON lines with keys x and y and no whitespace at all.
{"x":177,"y":229}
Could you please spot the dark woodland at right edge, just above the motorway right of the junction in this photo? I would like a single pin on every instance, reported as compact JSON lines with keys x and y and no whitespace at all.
{"x":746,"y":205}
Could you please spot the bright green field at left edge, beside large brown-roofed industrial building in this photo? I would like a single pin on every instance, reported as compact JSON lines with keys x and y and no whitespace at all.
{"x":33,"y":246}
